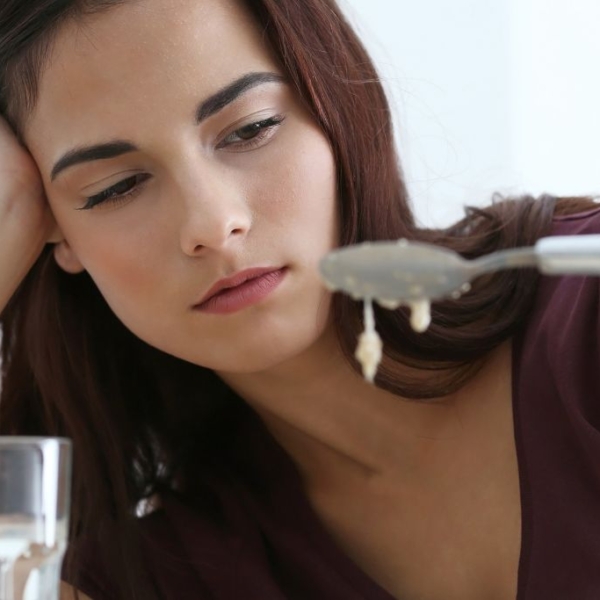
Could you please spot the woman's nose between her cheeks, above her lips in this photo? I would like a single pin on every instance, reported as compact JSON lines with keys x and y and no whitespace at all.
{"x":216,"y":214}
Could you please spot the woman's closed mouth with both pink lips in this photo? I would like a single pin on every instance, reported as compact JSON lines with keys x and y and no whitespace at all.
{"x":241,"y":290}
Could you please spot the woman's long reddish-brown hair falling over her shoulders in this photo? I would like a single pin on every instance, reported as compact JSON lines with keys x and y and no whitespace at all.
{"x":139,"y":418}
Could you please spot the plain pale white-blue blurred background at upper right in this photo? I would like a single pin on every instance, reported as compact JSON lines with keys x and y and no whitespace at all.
{"x":488,"y":96}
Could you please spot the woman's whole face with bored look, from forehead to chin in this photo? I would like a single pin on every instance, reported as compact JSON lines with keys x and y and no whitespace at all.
{"x":174,"y":155}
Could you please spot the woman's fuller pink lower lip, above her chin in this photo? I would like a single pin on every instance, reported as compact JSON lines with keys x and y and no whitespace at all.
{"x":246,"y":294}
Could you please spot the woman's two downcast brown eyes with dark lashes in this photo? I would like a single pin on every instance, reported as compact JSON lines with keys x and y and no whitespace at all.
{"x":131,"y":186}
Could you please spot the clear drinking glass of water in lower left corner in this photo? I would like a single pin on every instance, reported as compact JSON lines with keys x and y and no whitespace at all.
{"x":35,"y":492}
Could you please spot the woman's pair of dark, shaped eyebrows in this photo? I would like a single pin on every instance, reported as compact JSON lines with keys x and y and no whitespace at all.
{"x":207,"y":108}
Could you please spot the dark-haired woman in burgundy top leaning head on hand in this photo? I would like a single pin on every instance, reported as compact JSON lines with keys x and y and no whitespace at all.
{"x":184,"y":166}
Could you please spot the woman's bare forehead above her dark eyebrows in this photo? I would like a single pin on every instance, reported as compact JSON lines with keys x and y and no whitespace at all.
{"x":141,"y":59}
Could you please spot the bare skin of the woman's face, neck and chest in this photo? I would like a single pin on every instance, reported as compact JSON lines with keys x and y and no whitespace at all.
{"x":399,"y":485}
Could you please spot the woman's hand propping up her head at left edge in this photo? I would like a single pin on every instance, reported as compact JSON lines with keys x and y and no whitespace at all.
{"x":26,"y":222}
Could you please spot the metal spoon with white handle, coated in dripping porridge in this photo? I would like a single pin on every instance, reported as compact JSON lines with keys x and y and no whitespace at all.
{"x":401,"y":272}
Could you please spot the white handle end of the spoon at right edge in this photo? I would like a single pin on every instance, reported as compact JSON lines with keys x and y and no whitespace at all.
{"x":569,"y":254}
